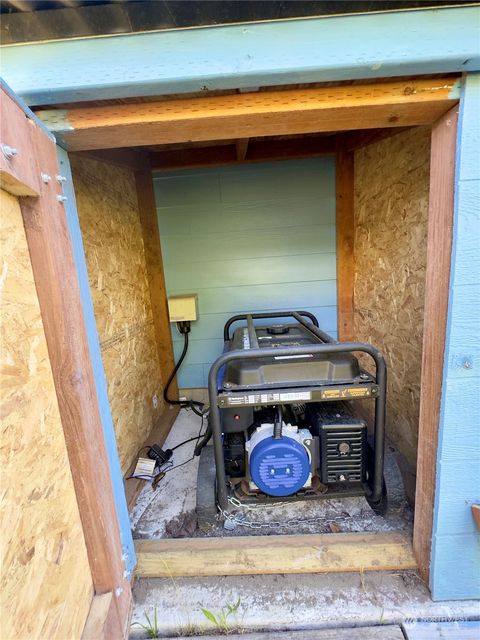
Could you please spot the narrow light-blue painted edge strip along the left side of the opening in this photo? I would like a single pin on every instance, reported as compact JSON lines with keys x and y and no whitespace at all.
{"x":97,"y":364}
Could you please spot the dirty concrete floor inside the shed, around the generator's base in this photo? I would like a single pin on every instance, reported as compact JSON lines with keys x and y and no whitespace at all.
{"x":169,"y":510}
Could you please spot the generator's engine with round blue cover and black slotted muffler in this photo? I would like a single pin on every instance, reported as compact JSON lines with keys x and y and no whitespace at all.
{"x":325,"y":447}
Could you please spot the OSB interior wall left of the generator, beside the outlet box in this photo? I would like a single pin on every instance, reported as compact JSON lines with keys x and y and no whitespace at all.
{"x":112,"y":235}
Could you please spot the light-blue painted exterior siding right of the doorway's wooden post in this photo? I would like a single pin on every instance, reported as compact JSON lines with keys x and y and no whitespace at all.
{"x":455,"y":570}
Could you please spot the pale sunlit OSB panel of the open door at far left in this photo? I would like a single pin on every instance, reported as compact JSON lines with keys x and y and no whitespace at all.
{"x":46,"y":586}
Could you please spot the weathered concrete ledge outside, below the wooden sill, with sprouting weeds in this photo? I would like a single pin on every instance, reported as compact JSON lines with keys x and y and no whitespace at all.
{"x":291,"y":602}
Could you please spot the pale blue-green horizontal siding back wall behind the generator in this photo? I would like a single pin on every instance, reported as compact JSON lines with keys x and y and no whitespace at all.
{"x":247,"y":238}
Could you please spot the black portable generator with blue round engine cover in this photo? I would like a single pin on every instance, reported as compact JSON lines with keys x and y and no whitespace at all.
{"x":284,"y":418}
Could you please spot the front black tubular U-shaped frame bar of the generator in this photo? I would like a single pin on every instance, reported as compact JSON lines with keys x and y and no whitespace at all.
{"x":314,"y":349}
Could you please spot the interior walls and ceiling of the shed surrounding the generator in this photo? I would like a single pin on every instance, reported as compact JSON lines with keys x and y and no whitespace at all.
{"x":234,"y":255}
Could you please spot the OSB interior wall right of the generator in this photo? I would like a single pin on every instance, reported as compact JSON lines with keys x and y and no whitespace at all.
{"x":391,"y":207}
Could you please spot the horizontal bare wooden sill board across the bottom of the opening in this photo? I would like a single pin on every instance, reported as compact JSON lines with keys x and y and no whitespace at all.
{"x":274,"y":554}
